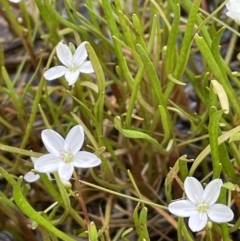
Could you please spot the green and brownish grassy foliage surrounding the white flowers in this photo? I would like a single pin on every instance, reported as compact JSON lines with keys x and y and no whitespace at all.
{"x":162,"y":104}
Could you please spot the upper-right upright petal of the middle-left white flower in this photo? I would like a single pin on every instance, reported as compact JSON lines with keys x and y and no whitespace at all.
{"x":74,"y":139}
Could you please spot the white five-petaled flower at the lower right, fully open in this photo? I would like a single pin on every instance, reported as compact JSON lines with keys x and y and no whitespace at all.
{"x":200,"y":205}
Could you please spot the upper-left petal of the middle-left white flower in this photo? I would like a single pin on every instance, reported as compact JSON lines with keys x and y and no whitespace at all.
{"x":53,"y":142}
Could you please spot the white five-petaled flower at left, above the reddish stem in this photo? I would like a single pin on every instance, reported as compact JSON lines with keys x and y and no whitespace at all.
{"x":64,"y":155}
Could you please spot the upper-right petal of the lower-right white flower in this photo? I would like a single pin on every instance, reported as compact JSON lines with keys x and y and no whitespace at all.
{"x":212,"y":191}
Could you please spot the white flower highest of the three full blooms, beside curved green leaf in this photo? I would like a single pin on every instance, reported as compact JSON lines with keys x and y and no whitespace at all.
{"x":73,"y":64}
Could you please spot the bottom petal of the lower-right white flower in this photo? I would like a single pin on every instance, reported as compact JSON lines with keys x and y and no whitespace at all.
{"x":197,"y":221}
